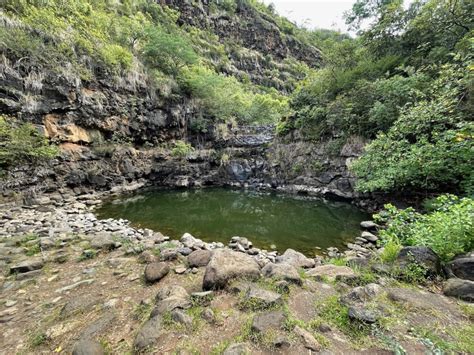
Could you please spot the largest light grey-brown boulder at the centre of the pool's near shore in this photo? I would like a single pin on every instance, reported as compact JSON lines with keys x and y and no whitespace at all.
{"x":226,"y":265}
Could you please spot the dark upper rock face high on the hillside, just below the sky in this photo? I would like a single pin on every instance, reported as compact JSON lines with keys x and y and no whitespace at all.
{"x":260,"y":46}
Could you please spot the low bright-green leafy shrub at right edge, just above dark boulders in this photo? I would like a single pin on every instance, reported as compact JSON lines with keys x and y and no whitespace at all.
{"x":448,"y":229}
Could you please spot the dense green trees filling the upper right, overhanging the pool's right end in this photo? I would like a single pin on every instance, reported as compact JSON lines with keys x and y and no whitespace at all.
{"x":406,"y":83}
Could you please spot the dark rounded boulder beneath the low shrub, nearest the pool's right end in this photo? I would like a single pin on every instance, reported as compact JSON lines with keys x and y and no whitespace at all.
{"x":420,"y":255}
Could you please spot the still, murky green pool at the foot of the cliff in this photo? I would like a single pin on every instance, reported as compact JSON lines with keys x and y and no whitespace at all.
{"x":269,"y":220}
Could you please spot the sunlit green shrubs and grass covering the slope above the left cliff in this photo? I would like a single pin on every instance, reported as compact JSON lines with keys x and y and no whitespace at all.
{"x":138,"y":43}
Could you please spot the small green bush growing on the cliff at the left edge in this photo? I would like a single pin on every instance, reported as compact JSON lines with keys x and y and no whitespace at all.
{"x":22,"y":143}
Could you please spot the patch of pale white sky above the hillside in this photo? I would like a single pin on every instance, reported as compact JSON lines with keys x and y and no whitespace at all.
{"x":314,"y":13}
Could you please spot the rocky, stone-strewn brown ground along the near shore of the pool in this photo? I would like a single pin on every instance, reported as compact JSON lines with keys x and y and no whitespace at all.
{"x":75,"y":283}
